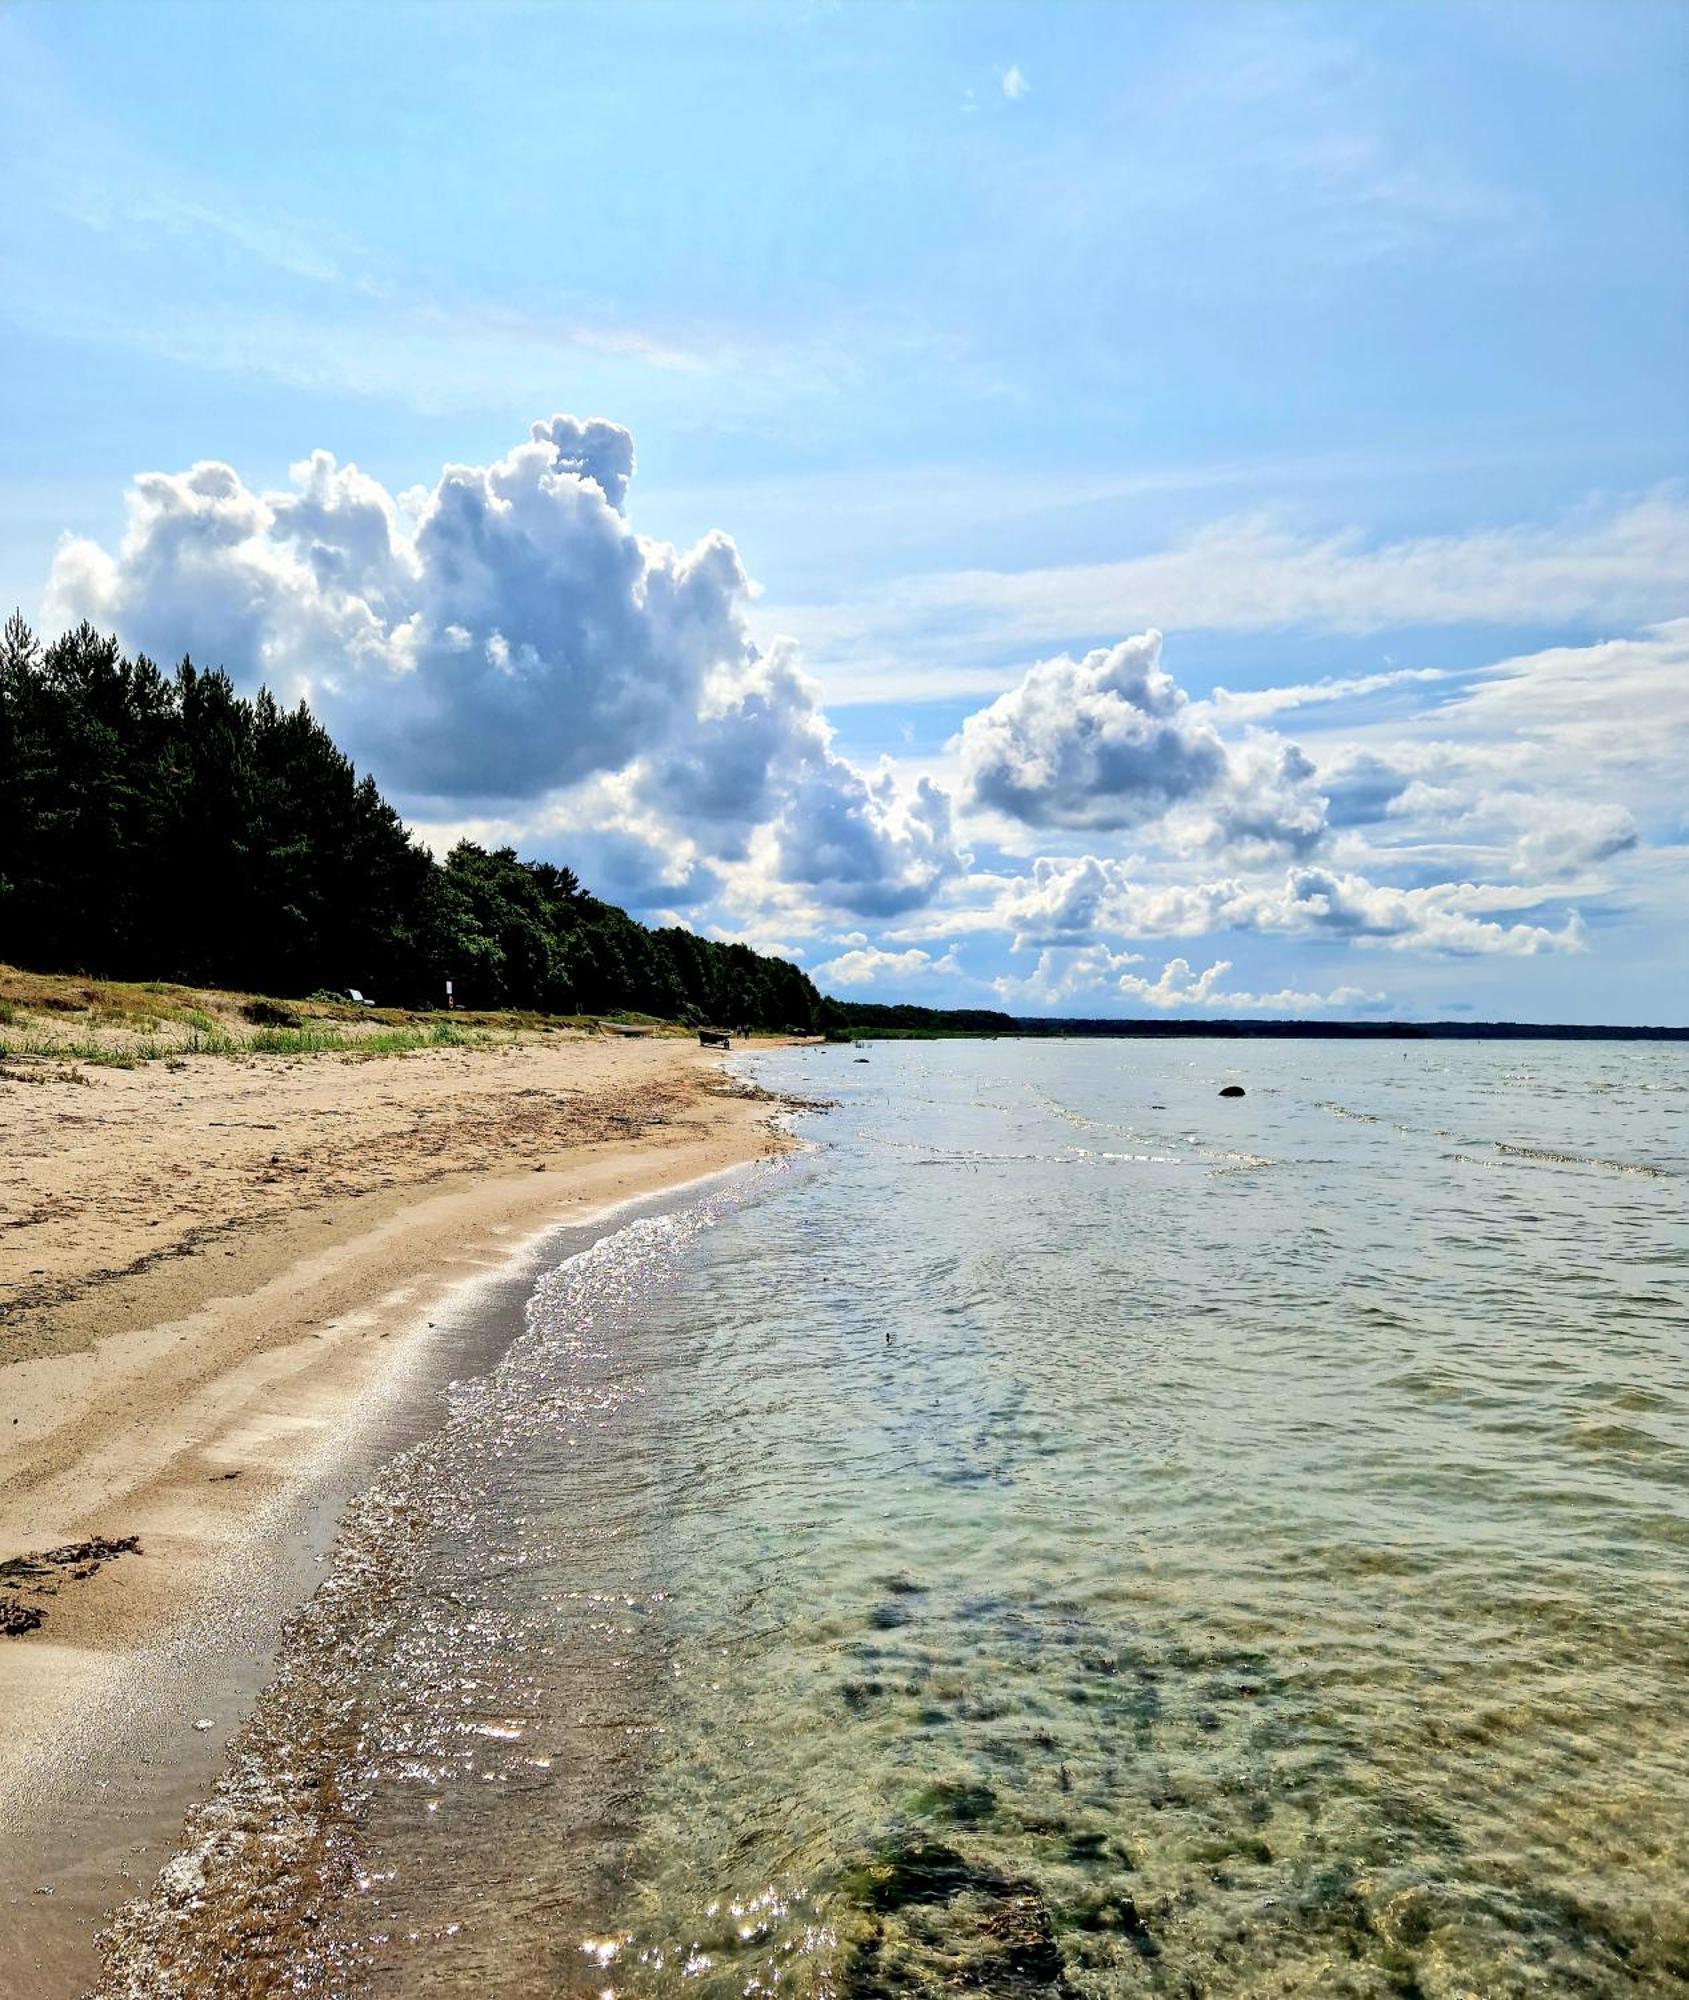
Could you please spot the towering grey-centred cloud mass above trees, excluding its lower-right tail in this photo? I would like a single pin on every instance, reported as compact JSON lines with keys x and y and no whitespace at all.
{"x":521,"y":639}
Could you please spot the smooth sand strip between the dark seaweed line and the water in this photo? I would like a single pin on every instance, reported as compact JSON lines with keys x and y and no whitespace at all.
{"x":229,"y":1429}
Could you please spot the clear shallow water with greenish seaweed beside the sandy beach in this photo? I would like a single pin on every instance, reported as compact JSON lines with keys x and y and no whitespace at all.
{"x":1068,"y":1533}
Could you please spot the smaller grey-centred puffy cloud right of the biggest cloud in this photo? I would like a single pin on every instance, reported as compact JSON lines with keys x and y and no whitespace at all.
{"x":1112,"y":741}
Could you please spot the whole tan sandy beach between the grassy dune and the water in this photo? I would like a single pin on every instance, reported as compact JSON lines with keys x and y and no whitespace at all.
{"x":213,"y":1271}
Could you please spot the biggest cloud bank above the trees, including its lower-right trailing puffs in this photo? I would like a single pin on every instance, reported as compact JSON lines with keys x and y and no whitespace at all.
{"x":509,"y":645}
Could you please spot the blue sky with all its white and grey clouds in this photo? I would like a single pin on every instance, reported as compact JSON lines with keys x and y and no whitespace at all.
{"x":1140,"y":509}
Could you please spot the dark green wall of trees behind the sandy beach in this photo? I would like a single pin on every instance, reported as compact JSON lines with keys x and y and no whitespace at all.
{"x":163,"y":827}
